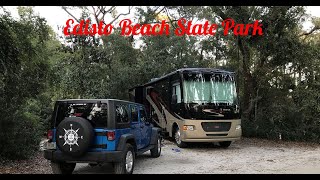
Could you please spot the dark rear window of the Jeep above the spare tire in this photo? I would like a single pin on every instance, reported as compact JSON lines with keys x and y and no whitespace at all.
{"x":96,"y":114}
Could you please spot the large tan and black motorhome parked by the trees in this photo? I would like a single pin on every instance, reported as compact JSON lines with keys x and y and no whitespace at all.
{"x":193,"y":105}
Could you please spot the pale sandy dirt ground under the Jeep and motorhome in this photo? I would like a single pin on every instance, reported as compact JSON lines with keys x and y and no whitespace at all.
{"x":246,"y":156}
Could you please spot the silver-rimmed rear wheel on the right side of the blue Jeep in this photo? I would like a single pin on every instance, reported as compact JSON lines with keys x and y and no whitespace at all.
{"x":127,"y":163}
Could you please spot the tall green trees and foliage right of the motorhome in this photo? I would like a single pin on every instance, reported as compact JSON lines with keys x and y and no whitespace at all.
{"x":271,"y":66}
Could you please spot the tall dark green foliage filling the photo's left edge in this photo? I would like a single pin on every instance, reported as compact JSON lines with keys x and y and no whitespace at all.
{"x":24,"y":69}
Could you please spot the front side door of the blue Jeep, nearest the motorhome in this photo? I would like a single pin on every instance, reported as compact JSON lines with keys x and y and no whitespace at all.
{"x":145,"y":127}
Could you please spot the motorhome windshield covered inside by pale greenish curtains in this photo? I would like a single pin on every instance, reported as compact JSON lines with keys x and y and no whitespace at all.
{"x":209,"y":88}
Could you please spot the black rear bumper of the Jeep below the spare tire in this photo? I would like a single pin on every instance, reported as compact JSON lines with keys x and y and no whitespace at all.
{"x":58,"y":156}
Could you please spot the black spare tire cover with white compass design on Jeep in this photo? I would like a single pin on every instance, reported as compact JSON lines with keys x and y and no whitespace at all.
{"x":74,"y":136}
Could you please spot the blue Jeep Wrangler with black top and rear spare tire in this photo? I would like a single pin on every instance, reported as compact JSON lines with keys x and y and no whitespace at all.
{"x":95,"y":131}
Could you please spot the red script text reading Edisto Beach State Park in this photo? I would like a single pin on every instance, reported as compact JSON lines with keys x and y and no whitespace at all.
{"x":183,"y":27}
